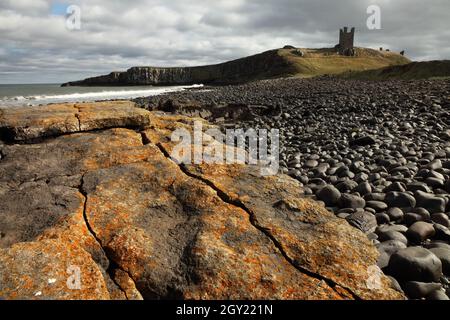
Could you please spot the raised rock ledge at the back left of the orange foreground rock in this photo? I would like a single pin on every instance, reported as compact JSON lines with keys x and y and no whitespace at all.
{"x":28,"y":123}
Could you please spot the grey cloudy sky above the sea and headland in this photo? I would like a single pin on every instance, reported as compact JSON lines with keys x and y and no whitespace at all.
{"x":36,"y":45}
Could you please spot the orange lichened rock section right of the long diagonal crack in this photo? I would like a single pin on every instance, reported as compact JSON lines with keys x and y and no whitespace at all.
{"x":309,"y":236}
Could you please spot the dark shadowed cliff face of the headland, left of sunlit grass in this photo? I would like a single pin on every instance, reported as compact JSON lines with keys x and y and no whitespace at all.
{"x":265,"y":65}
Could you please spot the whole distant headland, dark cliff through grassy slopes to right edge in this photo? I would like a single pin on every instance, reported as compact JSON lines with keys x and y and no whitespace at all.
{"x":286,"y":62}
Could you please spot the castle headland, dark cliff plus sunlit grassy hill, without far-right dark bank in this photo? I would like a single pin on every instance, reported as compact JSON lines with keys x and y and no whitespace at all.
{"x":266,"y":65}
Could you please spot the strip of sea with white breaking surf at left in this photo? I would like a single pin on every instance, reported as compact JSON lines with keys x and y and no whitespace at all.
{"x":12,"y":95}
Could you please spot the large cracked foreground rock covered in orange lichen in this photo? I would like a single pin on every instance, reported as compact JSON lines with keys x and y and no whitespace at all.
{"x":109,"y":205}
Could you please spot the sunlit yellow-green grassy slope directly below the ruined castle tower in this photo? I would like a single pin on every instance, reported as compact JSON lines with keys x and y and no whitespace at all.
{"x":316,"y":62}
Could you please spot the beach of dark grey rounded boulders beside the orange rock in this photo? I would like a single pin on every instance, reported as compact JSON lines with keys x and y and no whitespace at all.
{"x":374,"y":153}
